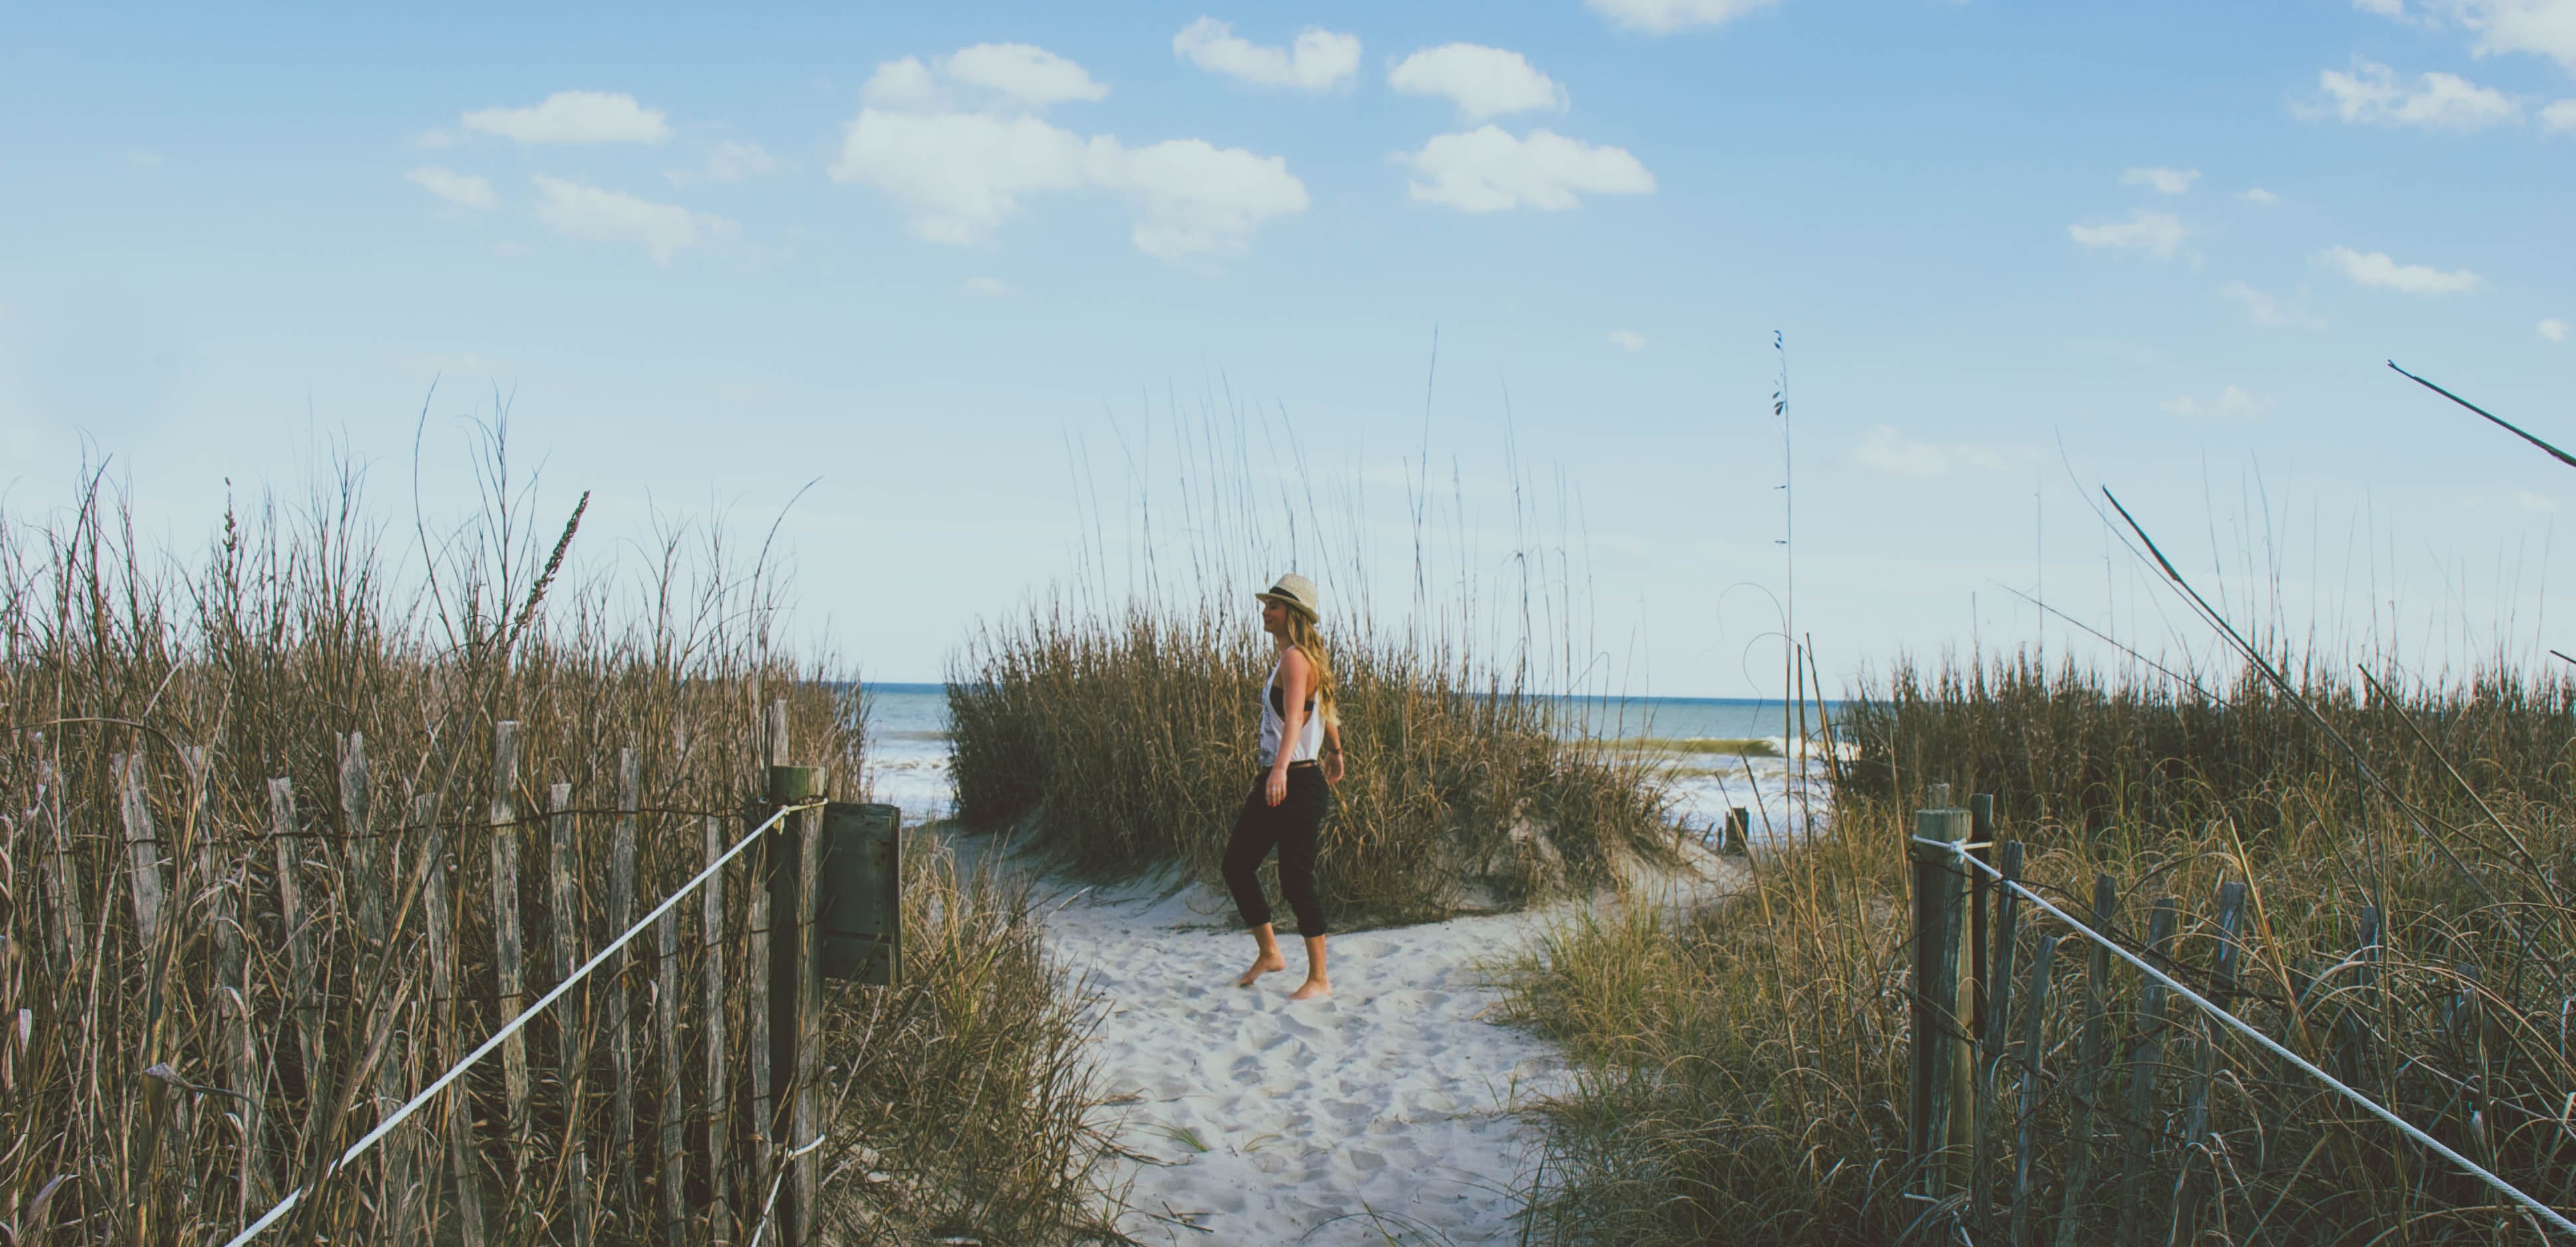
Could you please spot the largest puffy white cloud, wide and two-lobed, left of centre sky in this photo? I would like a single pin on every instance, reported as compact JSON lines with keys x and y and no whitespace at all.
{"x":965,"y":174}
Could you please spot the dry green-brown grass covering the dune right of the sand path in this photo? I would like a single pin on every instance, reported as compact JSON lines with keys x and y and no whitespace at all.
{"x":1745,"y":1068}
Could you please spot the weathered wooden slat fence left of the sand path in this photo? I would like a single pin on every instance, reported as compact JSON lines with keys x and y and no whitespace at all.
{"x":305,"y":978}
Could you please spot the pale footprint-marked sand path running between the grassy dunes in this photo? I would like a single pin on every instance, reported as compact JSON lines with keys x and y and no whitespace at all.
{"x":1385,"y":1114}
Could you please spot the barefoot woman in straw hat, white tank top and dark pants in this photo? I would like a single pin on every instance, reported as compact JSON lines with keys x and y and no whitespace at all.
{"x":1302,"y":746}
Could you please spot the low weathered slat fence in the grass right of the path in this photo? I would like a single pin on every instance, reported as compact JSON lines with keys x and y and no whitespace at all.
{"x":2088,"y":1107}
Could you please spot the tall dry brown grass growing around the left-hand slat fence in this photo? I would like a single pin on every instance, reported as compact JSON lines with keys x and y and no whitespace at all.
{"x":298,"y":627}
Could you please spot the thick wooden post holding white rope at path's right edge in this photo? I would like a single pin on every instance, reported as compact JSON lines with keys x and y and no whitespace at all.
{"x":1938,"y":900}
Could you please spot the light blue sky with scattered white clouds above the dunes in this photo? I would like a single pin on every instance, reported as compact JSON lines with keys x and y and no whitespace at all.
{"x":926,"y":254}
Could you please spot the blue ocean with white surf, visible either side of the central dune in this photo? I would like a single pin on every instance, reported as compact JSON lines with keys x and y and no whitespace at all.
{"x":908,"y":754}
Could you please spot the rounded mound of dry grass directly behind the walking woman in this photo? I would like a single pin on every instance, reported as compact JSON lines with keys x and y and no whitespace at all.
{"x":1135,"y":741}
